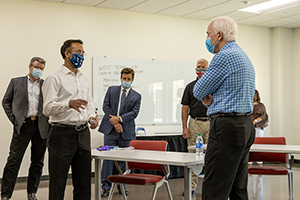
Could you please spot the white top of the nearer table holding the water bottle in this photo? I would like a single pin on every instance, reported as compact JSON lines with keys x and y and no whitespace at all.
{"x":157,"y":157}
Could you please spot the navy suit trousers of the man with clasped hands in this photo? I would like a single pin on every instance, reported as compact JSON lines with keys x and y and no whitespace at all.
{"x":108,"y":168}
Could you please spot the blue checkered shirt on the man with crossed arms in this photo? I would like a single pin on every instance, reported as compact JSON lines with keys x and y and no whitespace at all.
{"x":230,"y":78}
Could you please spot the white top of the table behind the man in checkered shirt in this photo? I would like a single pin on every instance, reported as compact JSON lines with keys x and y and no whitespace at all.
{"x":271,"y":148}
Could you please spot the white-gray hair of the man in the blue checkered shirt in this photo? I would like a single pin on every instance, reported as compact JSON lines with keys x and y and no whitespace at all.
{"x":227,"y":26}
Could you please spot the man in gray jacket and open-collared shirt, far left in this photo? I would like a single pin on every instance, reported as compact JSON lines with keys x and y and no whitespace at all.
{"x":23,"y":105}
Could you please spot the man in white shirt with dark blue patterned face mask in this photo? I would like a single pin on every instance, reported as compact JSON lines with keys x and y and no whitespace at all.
{"x":69,"y":105}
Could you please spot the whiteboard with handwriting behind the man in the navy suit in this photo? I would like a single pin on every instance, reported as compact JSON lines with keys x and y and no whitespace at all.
{"x":161,"y":84}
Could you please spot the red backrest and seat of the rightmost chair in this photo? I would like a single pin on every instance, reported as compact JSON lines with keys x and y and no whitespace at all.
{"x":268,"y":157}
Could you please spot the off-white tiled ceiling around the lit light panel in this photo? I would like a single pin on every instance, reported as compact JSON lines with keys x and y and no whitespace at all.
{"x":202,"y":9}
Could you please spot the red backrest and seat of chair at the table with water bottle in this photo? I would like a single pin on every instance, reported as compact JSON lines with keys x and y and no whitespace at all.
{"x":147,"y":145}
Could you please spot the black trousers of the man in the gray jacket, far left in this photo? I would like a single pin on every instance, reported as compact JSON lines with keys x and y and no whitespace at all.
{"x":29,"y":132}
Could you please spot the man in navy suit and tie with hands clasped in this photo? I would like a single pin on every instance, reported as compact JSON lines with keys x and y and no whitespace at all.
{"x":121,"y":106}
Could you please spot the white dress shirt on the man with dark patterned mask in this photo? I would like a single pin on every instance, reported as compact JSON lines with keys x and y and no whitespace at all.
{"x":61,"y":87}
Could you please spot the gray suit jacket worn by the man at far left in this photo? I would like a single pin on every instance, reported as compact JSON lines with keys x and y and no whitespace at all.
{"x":15,"y":105}
